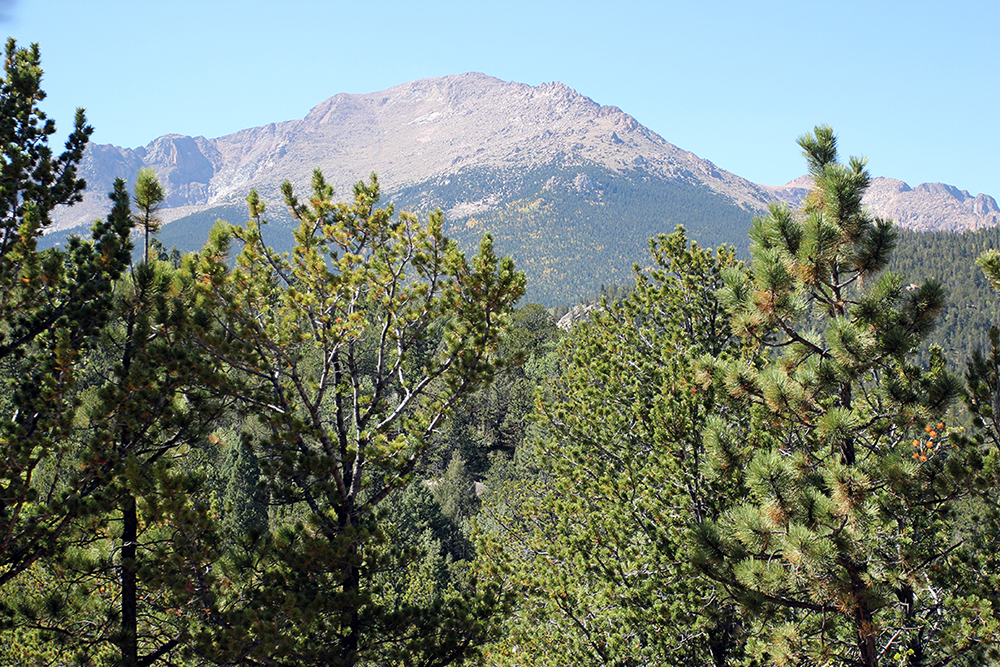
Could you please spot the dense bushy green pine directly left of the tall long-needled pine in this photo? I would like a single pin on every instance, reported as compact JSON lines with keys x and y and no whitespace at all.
{"x":593,"y":543}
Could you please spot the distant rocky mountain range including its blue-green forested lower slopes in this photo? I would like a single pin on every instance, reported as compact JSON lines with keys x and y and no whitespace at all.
{"x":570,"y":188}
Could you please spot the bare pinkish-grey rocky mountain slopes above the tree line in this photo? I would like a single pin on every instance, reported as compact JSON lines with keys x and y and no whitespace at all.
{"x":432,"y":127}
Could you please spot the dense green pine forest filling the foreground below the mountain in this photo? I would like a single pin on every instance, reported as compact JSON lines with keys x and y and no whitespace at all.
{"x":370,"y":450}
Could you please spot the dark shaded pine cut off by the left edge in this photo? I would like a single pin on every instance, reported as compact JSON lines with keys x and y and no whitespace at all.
{"x":54,"y":304}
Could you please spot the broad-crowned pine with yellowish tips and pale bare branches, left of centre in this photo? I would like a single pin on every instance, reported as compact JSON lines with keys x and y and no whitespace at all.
{"x":352,"y":351}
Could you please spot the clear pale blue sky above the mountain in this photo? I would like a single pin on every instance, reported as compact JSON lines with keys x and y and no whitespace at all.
{"x":913,"y":85}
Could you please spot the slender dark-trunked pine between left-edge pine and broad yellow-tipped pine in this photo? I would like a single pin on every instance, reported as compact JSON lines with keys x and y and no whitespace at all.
{"x":123,"y":589}
